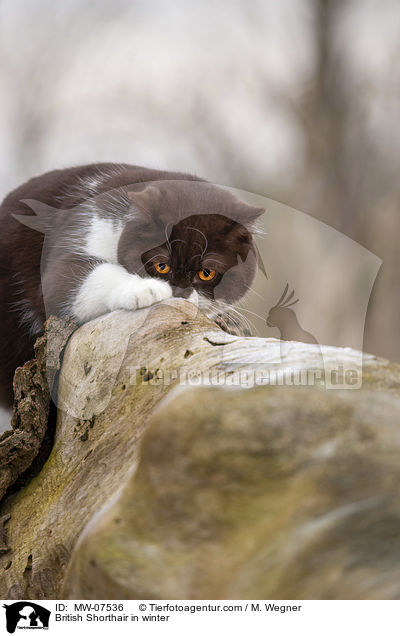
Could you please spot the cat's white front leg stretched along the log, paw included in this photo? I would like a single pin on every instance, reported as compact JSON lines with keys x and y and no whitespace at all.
{"x":109,"y":286}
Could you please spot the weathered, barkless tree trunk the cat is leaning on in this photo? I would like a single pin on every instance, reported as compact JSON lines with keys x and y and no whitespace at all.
{"x":207,"y":478}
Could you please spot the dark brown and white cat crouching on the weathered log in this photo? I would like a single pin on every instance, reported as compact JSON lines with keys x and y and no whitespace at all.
{"x":87,"y":240}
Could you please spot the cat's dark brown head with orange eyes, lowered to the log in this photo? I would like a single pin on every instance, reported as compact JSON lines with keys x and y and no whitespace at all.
{"x":193,"y":235}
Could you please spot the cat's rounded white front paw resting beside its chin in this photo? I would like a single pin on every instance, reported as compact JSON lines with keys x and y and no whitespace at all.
{"x":143,"y":292}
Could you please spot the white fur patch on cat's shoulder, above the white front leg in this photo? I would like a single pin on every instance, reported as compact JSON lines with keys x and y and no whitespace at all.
{"x":102,"y":239}
